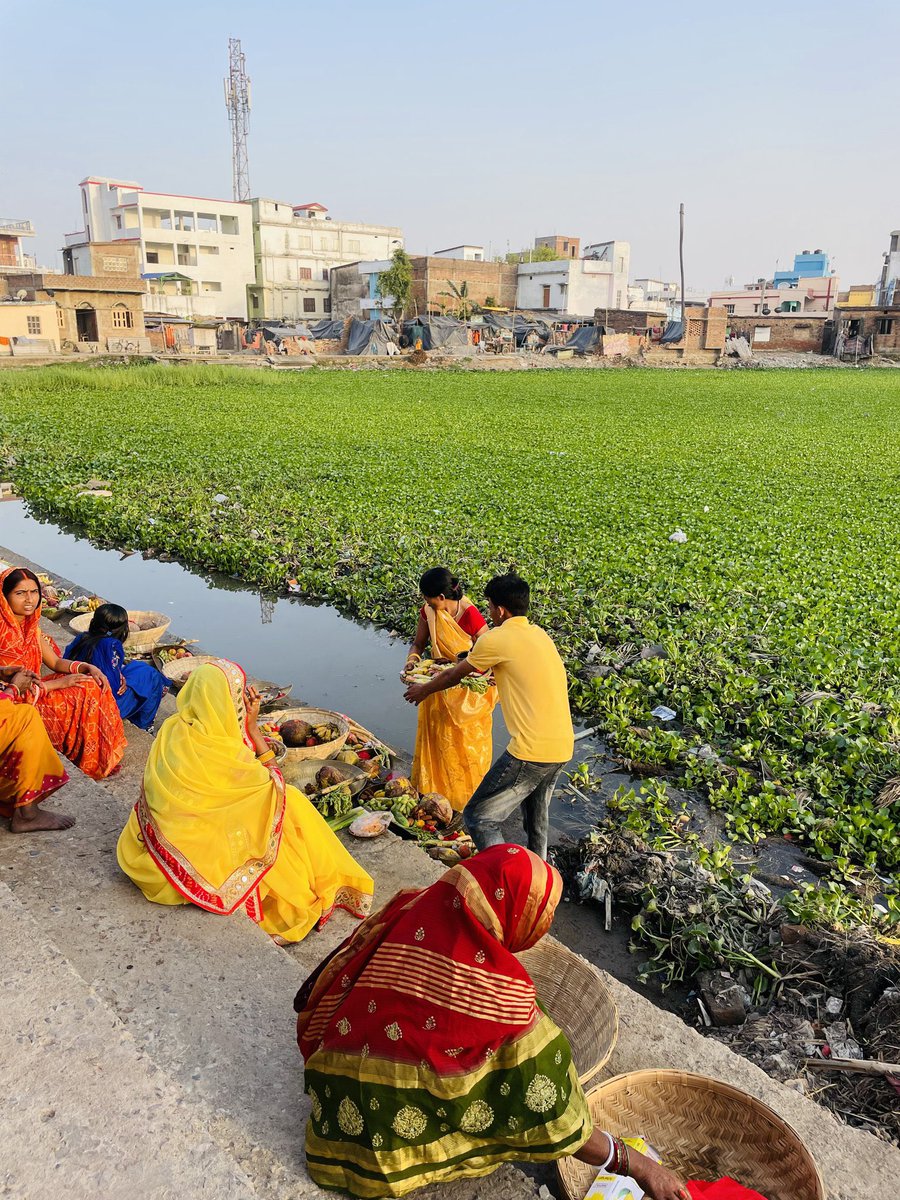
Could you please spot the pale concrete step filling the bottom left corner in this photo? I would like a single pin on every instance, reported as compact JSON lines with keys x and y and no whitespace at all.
{"x":80,"y":1095}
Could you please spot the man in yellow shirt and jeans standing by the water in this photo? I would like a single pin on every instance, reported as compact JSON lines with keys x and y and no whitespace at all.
{"x":535,"y":697}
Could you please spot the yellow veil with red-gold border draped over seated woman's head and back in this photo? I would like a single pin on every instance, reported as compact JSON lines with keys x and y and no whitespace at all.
{"x":211,"y":814}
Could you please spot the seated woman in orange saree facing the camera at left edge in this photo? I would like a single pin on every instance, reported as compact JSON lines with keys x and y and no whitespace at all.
{"x":76,"y":703}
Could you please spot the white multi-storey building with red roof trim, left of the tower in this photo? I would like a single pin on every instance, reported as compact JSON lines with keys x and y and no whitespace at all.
{"x":196,"y":254}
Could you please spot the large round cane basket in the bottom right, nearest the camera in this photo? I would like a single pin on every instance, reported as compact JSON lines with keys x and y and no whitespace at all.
{"x":703,"y":1130}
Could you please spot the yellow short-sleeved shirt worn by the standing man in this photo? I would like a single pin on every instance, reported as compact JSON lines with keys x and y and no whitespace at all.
{"x":535,"y":692}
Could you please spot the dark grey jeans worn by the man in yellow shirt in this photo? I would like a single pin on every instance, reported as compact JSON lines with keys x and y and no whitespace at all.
{"x":512,"y":784}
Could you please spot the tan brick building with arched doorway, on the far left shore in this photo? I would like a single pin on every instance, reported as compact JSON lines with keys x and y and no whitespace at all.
{"x":99,"y":298}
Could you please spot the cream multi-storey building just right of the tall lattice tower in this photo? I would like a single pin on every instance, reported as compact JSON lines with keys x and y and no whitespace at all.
{"x":296,"y":248}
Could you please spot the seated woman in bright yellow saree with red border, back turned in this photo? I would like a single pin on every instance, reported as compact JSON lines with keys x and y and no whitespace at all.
{"x":218,"y":827}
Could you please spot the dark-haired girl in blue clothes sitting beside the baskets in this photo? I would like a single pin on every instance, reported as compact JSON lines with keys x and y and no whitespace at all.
{"x":139,"y":688}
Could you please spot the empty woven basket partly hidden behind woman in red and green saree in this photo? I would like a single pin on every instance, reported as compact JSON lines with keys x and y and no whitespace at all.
{"x":577,"y":999}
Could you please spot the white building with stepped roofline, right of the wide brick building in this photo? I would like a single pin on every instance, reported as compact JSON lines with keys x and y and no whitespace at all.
{"x":577,"y":287}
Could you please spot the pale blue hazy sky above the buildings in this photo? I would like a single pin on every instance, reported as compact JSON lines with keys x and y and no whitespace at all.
{"x":777,"y":124}
